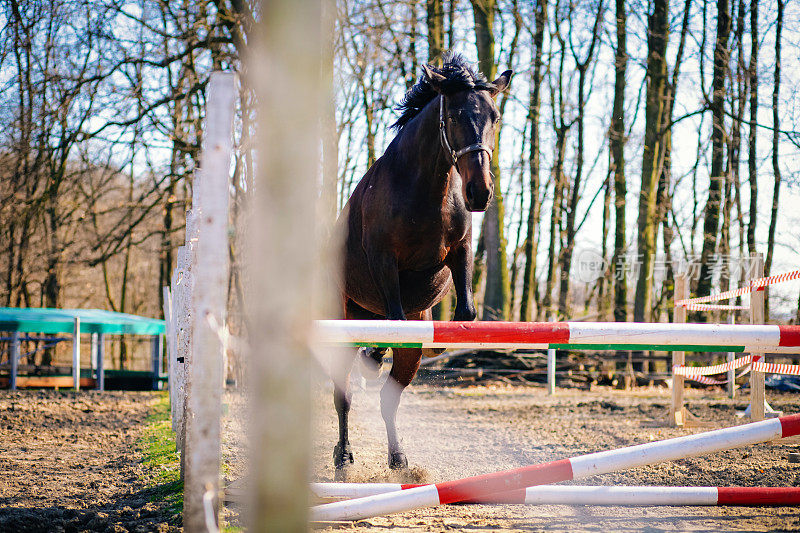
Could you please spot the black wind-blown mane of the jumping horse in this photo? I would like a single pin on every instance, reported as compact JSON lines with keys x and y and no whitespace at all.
{"x":460,"y":76}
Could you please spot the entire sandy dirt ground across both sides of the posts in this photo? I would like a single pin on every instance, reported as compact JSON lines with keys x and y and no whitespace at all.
{"x":70,"y":462}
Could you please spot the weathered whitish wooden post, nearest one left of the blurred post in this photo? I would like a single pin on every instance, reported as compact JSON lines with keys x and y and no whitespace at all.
{"x":211,"y":194}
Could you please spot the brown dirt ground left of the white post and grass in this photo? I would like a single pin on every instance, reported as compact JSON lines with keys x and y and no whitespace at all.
{"x":70,"y":462}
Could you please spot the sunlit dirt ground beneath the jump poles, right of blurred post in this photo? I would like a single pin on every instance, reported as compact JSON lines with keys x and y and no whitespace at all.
{"x":450,"y":433}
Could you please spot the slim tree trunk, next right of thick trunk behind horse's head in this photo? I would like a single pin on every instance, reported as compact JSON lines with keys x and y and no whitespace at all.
{"x":534,"y":112}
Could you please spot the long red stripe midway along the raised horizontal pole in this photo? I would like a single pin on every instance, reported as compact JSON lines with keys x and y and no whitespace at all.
{"x":498,"y":332}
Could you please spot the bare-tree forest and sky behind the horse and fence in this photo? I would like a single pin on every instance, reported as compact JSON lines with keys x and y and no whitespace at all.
{"x":640,"y":139}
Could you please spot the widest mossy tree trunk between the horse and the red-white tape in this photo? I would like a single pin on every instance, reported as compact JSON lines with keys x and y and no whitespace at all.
{"x":658,"y":36}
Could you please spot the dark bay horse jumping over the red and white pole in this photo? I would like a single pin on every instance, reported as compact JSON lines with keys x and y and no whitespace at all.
{"x":408,"y":227}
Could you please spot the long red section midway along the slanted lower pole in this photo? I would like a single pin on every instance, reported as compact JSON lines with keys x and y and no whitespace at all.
{"x":509,"y":480}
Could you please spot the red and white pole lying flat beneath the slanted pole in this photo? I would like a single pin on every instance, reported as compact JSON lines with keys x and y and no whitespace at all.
{"x":593,"y":495}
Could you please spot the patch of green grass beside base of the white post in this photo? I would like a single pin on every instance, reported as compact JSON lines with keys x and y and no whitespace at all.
{"x":161,"y":460}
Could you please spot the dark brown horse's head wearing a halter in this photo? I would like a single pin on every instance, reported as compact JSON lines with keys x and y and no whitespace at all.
{"x":468,"y":121}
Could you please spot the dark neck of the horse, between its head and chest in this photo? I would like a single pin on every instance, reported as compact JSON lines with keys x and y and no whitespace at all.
{"x":423,"y":156}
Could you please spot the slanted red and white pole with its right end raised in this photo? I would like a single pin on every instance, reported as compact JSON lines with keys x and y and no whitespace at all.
{"x":565,"y":469}
